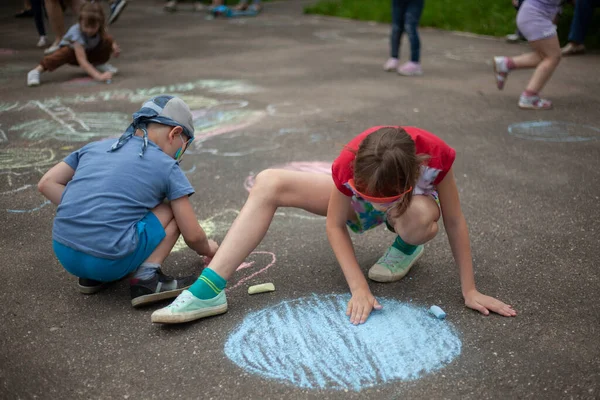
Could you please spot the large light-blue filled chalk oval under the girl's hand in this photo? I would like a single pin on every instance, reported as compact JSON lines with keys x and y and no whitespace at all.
{"x":310,"y":343}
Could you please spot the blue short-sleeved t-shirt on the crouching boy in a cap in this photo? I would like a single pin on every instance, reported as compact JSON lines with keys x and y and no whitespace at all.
{"x":111,"y":192}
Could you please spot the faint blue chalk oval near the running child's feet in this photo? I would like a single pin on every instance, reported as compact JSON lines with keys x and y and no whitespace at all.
{"x":554,"y":131}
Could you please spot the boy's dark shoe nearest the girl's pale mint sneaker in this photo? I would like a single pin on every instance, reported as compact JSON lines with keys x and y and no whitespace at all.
{"x":159,"y":287}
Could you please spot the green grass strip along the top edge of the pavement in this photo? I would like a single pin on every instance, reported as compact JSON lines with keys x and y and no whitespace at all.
{"x":485,"y":17}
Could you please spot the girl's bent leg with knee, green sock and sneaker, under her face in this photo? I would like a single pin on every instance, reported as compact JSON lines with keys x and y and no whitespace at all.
{"x":416,"y":226}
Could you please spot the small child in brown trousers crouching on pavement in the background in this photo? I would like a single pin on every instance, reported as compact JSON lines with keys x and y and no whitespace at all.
{"x":85,"y":44}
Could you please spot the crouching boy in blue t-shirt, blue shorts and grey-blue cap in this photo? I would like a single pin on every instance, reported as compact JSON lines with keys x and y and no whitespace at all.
{"x":112,"y":219}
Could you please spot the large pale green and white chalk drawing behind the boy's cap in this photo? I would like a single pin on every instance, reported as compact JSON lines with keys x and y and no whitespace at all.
{"x":60,"y":121}
